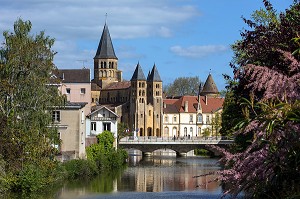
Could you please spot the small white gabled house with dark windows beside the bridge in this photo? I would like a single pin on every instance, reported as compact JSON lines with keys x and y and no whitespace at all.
{"x":102,"y":119}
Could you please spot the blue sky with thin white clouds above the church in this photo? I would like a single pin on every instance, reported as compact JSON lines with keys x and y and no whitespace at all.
{"x":183,"y":38}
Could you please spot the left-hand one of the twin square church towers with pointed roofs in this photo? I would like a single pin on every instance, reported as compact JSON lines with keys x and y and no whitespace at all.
{"x":138,"y":101}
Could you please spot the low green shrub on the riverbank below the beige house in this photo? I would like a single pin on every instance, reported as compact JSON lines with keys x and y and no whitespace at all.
{"x":79,"y":168}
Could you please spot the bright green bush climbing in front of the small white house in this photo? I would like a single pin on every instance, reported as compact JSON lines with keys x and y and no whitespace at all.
{"x":104,"y":154}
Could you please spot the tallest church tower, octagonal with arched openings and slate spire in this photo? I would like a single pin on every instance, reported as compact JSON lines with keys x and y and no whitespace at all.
{"x":106,"y":62}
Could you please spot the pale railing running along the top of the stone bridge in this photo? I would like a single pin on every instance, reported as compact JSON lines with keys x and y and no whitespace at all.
{"x":172,"y":139}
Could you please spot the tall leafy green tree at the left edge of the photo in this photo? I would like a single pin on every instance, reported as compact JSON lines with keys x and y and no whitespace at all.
{"x":26,"y":64}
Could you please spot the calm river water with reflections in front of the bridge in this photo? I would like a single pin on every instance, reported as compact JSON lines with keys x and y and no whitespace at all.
{"x":159,"y":176}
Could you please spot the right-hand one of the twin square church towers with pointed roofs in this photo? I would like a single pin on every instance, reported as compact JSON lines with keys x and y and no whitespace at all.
{"x":154,"y":97}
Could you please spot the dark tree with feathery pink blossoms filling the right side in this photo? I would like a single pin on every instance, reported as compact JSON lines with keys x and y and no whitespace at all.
{"x":268,"y":93}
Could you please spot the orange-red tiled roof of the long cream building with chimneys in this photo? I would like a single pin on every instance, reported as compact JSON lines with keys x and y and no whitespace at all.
{"x":213,"y":104}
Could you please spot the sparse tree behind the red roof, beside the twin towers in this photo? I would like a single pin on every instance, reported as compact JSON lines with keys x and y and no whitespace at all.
{"x":183,"y":86}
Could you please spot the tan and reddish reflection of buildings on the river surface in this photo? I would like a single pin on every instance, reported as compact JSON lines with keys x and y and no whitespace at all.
{"x":161,"y":174}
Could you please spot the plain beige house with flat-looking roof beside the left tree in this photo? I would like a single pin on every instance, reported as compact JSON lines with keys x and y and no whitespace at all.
{"x":70,"y":123}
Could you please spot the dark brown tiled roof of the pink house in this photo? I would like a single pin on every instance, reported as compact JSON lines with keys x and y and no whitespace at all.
{"x":73,"y":75}
